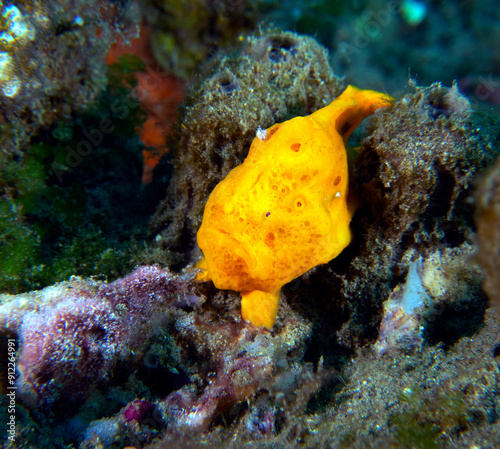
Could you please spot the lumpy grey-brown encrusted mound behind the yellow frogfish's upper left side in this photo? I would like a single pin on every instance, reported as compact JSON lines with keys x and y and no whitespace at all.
{"x":273,"y":77}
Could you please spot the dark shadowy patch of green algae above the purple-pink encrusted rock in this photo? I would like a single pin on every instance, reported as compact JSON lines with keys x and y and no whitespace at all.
{"x":73,"y":202}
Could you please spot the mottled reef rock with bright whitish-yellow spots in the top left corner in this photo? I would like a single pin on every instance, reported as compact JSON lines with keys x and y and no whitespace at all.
{"x":52,"y":62}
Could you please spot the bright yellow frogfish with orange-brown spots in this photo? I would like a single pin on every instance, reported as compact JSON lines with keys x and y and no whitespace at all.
{"x":285,"y":209}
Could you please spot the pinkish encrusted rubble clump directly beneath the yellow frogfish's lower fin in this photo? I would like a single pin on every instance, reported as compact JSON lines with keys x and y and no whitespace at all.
{"x":238,"y":364}
